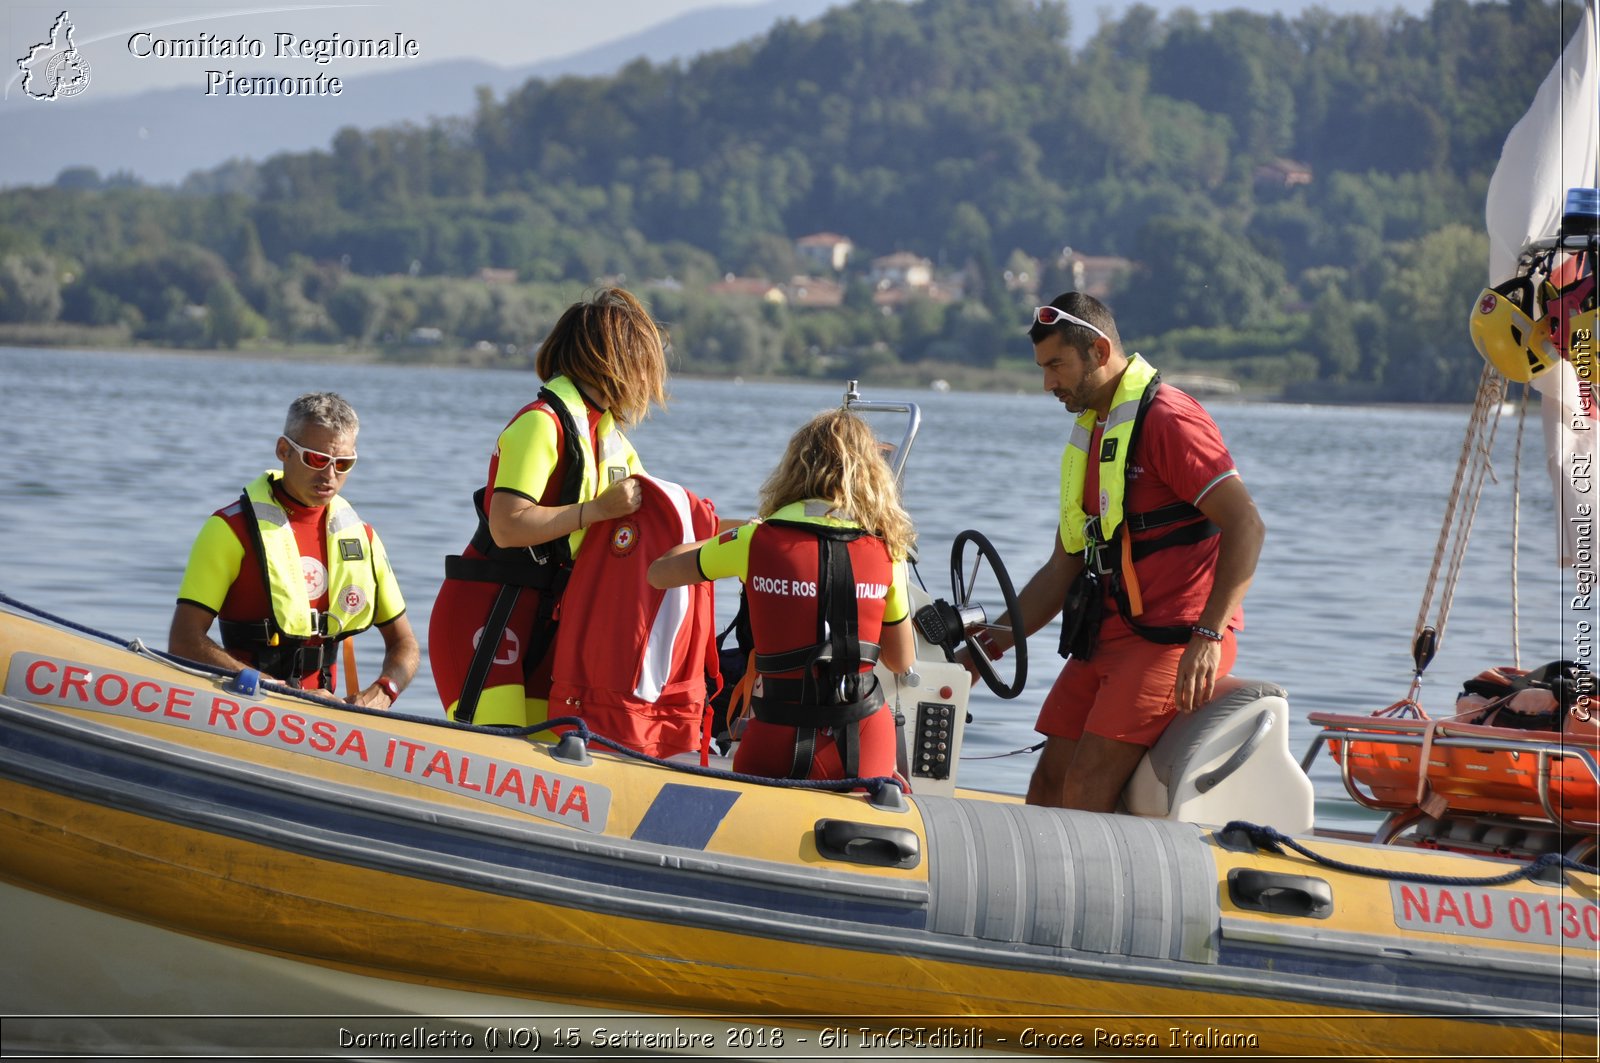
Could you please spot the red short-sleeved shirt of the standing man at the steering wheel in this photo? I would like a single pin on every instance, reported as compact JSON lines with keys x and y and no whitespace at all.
{"x":1178,"y":459}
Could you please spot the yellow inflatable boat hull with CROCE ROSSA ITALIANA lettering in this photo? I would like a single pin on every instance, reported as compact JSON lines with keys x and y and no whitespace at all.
{"x":396,"y":865}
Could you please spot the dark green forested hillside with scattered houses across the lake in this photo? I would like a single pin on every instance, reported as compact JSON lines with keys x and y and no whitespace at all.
{"x":1313,"y":223}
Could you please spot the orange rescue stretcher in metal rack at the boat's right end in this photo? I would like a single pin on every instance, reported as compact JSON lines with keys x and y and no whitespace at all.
{"x":1414,"y":768}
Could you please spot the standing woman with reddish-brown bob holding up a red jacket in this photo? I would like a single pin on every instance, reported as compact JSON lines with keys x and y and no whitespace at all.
{"x":561,"y":465}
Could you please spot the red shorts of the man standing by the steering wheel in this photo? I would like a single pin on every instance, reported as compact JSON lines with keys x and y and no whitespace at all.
{"x":1124,"y":692}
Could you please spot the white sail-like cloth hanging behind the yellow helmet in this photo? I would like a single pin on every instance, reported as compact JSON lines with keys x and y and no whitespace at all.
{"x":1554,"y":148}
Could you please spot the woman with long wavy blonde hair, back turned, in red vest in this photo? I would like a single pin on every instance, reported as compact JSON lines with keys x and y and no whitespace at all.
{"x":825,"y":580}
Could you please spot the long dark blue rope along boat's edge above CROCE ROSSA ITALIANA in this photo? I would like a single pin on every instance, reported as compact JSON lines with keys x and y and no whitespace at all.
{"x":871,"y":785}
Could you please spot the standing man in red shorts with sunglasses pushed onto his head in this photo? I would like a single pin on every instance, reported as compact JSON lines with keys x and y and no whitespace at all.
{"x":1158,"y":539}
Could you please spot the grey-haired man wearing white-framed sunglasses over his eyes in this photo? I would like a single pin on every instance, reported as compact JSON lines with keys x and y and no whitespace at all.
{"x":290,"y":571}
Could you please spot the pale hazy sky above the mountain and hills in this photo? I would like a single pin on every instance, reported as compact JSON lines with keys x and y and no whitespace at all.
{"x":505,"y":33}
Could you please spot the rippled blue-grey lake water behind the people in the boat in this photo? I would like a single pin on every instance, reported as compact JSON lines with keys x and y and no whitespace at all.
{"x":114,"y":460}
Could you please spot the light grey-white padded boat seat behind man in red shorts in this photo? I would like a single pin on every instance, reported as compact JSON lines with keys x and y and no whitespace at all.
{"x":1228,"y":761}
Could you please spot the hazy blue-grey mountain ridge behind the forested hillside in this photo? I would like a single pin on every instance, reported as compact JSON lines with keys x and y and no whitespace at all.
{"x":164,"y":135}
